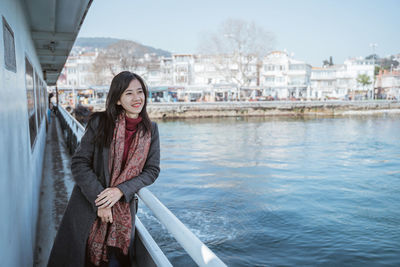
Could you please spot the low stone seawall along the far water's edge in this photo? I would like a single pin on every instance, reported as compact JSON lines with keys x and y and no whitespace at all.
{"x":181,"y":110}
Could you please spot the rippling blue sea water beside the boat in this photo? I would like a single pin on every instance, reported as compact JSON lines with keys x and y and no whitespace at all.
{"x":283,"y":191}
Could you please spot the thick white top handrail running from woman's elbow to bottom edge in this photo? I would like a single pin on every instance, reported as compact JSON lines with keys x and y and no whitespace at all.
{"x":196,"y":249}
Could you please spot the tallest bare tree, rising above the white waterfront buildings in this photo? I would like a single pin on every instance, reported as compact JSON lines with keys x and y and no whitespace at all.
{"x":237,"y":49}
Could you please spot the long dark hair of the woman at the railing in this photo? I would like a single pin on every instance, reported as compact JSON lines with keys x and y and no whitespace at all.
{"x":107,"y":118}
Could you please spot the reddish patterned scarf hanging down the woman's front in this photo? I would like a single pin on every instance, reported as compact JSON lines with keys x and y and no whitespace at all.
{"x":118,"y":233}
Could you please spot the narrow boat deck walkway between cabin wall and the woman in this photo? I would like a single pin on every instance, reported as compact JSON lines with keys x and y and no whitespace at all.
{"x":56,"y":188}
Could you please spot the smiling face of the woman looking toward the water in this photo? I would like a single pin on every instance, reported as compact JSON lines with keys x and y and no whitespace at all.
{"x":132,"y":99}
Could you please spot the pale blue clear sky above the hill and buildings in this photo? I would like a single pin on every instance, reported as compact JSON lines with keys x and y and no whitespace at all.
{"x":310,"y":30}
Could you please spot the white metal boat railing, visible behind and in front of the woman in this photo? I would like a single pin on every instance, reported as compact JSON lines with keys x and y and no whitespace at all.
{"x":198,"y":251}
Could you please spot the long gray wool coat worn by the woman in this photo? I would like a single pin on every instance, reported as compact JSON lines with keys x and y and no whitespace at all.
{"x":90,"y":172}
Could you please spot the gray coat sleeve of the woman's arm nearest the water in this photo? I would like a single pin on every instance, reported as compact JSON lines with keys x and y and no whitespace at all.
{"x":150,"y":170}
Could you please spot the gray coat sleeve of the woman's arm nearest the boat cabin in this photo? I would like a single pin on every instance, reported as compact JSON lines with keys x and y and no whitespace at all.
{"x":82,"y":167}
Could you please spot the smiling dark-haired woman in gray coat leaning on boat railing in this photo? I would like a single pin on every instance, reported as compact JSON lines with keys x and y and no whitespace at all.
{"x":118,"y":155}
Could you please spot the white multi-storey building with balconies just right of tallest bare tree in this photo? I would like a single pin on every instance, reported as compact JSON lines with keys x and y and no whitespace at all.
{"x":282,"y":77}
